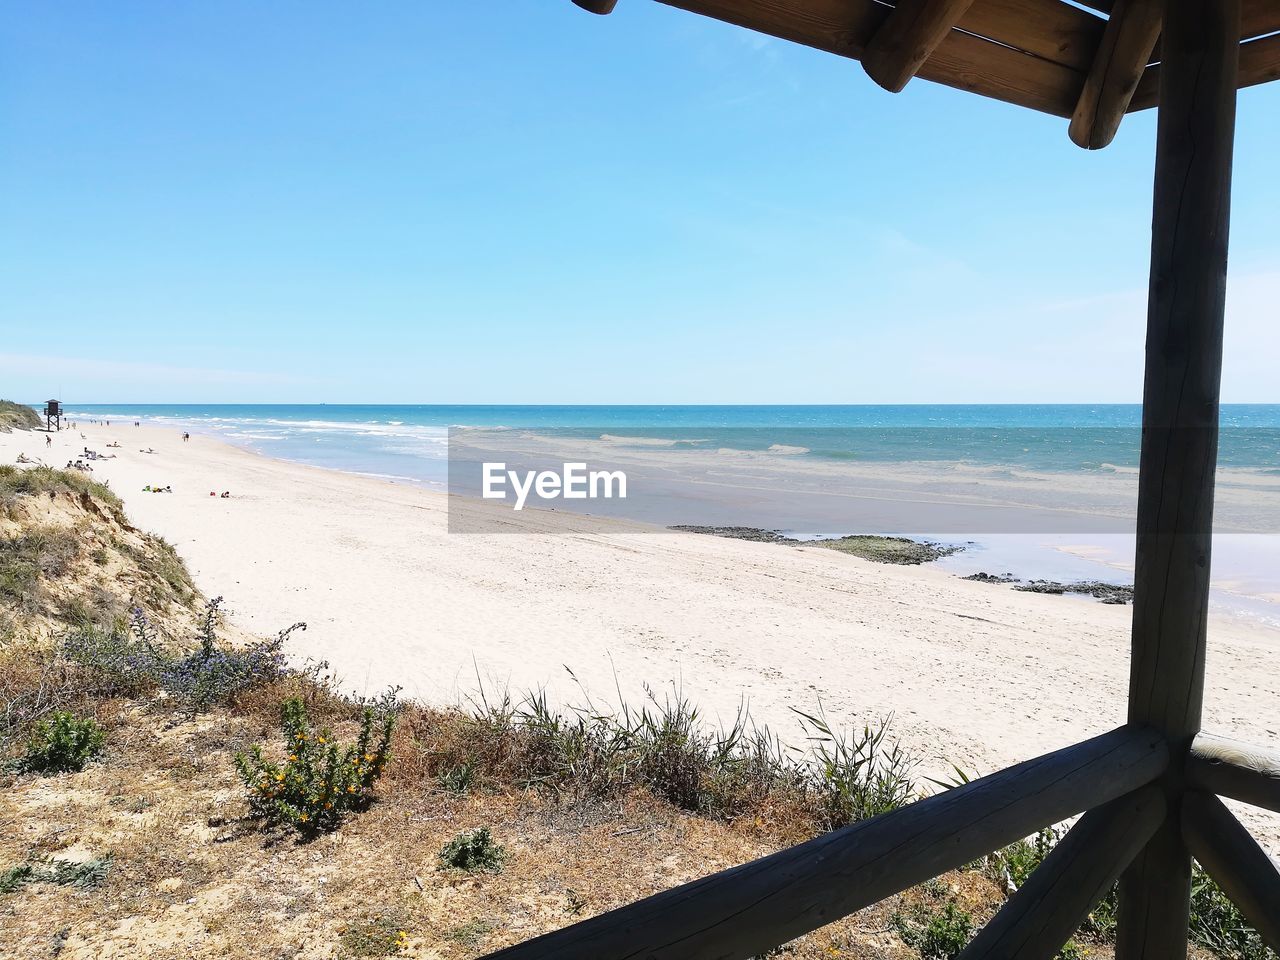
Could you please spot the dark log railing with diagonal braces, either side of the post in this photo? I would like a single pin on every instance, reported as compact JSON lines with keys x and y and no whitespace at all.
{"x":1114,"y":780}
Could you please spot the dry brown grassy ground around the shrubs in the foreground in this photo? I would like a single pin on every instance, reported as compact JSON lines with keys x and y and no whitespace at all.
{"x":193,"y":877}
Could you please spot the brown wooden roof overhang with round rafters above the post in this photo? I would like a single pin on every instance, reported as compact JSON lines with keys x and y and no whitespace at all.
{"x":1091,"y":62}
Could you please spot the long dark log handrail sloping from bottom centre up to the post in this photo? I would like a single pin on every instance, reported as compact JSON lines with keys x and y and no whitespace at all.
{"x":749,"y":909}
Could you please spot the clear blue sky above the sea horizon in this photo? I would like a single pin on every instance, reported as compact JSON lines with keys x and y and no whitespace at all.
{"x":523,"y":203}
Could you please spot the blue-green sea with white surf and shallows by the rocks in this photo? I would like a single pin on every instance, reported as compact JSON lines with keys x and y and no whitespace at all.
{"x":792,"y":469}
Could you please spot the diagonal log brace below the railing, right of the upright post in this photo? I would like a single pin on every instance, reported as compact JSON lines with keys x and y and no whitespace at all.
{"x":1236,"y":861}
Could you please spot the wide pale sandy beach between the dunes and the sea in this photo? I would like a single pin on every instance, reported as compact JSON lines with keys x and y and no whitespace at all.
{"x":975,"y":674}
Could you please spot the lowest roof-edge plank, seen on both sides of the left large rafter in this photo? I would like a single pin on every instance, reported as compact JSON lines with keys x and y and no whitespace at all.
{"x":962,"y":61}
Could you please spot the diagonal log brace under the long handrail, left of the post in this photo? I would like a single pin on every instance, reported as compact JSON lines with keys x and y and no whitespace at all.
{"x":1057,"y":899}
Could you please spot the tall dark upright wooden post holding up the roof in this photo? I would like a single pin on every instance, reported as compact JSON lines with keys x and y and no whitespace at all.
{"x":1180,"y":436}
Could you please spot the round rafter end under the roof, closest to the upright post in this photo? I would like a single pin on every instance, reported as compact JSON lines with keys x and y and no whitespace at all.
{"x":1118,"y":67}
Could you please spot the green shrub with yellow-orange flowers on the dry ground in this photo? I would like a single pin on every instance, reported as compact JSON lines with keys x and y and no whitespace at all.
{"x":319,"y":783}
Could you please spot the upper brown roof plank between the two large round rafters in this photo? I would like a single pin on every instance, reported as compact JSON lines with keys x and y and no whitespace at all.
{"x":1049,"y":29}
